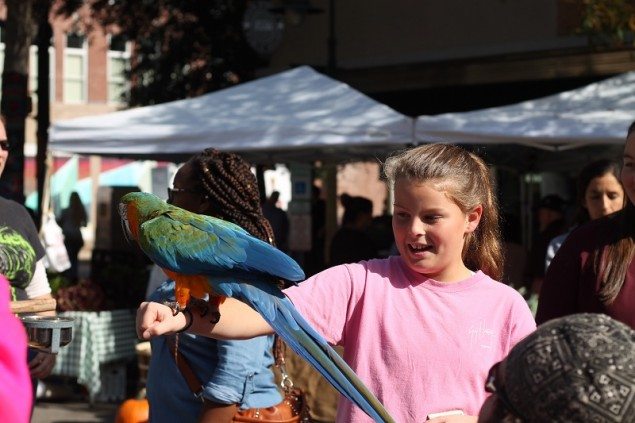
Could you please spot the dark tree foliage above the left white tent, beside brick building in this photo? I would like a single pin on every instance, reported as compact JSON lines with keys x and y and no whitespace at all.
{"x":182,"y":48}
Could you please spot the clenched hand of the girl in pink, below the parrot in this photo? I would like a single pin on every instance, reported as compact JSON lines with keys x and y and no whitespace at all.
{"x":155,"y":319}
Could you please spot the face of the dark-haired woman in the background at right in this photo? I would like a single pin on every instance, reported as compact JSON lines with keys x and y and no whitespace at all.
{"x":604,"y":195}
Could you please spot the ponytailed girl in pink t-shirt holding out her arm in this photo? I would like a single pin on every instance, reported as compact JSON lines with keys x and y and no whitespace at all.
{"x":421,"y":329}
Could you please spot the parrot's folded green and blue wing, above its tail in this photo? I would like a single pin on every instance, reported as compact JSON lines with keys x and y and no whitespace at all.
{"x":194,"y":244}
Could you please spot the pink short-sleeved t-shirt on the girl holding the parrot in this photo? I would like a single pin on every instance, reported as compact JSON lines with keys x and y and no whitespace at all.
{"x":420,"y":345}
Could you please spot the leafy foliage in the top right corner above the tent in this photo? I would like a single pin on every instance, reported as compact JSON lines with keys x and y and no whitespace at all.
{"x":609,"y":22}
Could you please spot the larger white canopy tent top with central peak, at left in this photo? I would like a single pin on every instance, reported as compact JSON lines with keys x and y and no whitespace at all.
{"x":299,"y":114}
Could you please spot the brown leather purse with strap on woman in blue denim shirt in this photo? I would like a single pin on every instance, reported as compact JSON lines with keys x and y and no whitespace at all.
{"x":292,"y":409}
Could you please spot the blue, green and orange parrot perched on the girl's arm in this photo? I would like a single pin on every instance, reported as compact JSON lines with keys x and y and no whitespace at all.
{"x":213,"y":256}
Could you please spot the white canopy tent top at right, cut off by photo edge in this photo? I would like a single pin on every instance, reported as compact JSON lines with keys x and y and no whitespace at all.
{"x":597,"y":114}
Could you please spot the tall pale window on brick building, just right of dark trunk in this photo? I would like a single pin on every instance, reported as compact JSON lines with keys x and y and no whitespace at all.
{"x":75,"y":69}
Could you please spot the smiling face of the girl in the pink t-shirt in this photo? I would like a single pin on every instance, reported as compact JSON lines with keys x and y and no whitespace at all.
{"x":430,"y":229}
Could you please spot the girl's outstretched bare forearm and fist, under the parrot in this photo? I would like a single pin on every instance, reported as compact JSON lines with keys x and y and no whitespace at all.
{"x":237,"y":321}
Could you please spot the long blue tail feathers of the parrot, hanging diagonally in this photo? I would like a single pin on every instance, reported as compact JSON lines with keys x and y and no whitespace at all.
{"x":283,"y":317}
